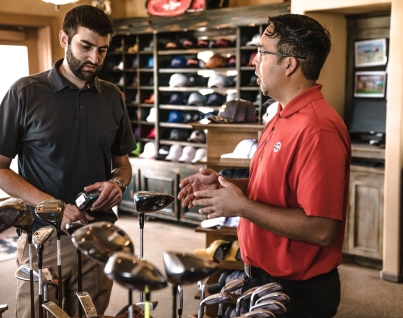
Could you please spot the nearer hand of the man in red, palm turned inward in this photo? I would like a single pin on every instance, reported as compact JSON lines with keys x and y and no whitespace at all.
{"x":228,"y":201}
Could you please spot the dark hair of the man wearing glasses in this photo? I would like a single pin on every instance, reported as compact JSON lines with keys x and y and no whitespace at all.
{"x":300,"y":35}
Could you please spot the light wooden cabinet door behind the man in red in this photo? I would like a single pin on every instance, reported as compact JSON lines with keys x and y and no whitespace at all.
{"x":364,"y":234}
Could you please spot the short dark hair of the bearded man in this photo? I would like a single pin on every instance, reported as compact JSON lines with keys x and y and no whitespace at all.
{"x":88,"y":17}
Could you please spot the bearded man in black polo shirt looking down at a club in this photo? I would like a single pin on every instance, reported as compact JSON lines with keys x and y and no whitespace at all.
{"x":71,"y":133}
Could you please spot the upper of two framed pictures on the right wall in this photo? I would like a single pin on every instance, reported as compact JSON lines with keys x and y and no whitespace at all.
{"x":370,"y":53}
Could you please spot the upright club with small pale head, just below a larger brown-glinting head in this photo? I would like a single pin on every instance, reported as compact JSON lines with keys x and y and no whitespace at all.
{"x":41,"y":239}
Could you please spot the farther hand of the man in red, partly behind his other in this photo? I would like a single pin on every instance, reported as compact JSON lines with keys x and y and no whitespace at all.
{"x":206,"y":179}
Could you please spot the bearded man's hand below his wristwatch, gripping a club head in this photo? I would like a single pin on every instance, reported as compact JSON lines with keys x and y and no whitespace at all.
{"x":110,"y":196}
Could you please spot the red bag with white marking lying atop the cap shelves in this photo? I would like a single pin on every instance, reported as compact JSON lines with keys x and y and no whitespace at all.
{"x":171,"y":8}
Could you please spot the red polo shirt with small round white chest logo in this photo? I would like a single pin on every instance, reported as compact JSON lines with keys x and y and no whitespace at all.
{"x":302,"y":161}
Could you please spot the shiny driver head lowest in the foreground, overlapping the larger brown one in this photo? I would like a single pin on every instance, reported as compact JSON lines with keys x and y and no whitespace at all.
{"x":133,"y":273}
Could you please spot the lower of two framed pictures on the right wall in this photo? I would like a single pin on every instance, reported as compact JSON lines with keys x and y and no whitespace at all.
{"x":370,"y":84}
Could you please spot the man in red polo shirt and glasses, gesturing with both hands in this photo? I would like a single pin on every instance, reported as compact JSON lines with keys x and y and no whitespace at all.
{"x":293,"y":206}
